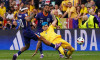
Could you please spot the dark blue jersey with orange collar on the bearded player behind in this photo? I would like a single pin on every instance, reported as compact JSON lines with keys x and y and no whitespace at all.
{"x":42,"y":18}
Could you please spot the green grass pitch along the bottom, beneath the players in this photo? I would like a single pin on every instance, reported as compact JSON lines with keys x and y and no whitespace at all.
{"x":50,"y":55}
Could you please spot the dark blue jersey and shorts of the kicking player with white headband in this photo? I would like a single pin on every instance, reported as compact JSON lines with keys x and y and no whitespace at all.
{"x":27,"y":32}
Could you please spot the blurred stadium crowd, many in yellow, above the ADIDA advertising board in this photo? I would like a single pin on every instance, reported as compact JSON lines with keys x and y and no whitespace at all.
{"x":84,"y":13}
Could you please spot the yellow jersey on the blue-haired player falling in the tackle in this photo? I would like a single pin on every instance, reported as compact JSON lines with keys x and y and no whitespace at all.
{"x":49,"y":34}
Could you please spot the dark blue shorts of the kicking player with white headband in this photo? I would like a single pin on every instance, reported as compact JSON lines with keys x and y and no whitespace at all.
{"x":28,"y":35}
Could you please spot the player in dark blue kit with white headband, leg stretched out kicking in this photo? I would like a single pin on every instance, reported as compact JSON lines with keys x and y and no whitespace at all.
{"x":28,"y":34}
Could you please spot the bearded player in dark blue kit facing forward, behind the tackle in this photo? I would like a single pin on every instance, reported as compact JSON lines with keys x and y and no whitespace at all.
{"x":44,"y":16}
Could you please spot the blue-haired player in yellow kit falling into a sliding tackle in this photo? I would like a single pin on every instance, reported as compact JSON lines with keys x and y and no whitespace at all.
{"x":54,"y":38}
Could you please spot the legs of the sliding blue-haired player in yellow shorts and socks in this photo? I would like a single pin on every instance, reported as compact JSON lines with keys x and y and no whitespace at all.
{"x":64,"y":45}
